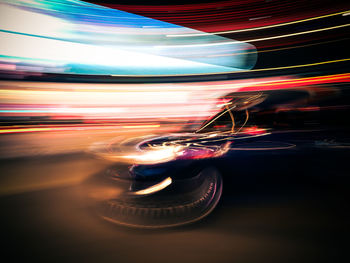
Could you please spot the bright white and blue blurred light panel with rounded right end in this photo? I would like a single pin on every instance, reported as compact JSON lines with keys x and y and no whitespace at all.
{"x":60,"y":39}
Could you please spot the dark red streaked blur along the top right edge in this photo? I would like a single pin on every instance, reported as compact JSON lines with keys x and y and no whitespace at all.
{"x":225,"y":17}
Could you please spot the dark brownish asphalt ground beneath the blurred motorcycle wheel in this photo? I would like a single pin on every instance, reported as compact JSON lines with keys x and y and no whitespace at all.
{"x":274,"y":208}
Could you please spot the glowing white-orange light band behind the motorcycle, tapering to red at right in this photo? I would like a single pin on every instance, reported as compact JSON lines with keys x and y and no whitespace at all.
{"x":134,"y":102}
